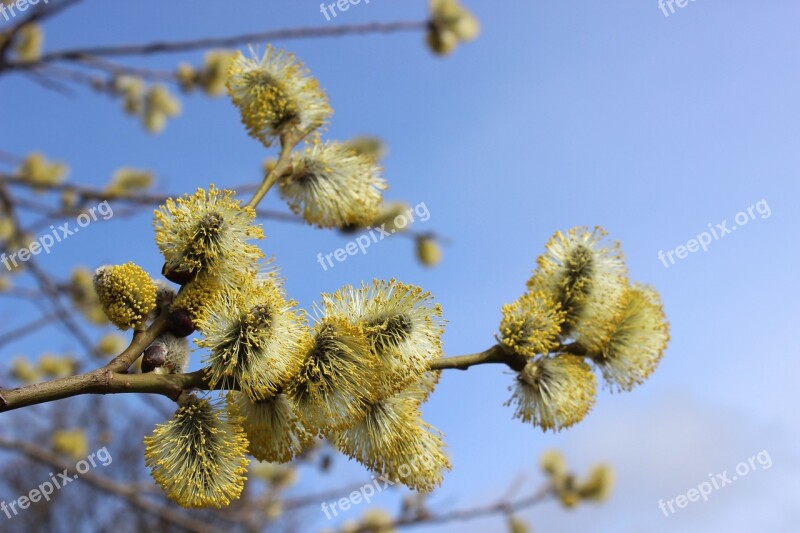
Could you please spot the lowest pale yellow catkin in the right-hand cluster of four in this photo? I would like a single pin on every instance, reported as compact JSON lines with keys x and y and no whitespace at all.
{"x":554,"y":392}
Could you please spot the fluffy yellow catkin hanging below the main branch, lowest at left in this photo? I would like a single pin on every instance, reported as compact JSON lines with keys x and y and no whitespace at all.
{"x":198,"y":457}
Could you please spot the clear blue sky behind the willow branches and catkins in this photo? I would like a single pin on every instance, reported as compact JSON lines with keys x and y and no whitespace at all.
{"x":562,"y":114}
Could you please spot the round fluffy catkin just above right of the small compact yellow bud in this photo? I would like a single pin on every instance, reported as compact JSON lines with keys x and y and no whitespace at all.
{"x":208,"y":232}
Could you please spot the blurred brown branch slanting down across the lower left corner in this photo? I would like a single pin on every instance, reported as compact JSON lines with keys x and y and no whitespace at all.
{"x":130,"y":494}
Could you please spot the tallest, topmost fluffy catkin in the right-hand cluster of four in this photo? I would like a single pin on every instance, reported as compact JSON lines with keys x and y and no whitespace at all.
{"x":587,"y":278}
